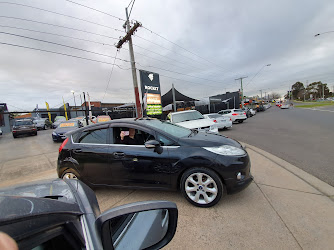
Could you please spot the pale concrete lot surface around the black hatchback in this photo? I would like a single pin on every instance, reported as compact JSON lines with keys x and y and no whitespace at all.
{"x":279,"y":210}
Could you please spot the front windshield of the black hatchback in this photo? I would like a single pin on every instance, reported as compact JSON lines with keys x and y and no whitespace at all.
{"x":168,"y":127}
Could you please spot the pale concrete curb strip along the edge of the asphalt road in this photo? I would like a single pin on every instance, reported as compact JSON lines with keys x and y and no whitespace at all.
{"x":322,"y":187}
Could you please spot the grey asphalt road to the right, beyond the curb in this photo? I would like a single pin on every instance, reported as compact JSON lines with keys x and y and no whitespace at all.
{"x":302,"y":137}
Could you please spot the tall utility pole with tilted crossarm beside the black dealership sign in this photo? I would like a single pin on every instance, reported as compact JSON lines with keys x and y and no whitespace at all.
{"x":127,"y":37}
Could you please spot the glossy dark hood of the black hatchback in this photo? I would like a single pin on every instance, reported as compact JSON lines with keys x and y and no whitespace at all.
{"x":208,"y":139}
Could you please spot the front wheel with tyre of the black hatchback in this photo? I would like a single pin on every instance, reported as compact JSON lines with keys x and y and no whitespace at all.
{"x":197,"y":192}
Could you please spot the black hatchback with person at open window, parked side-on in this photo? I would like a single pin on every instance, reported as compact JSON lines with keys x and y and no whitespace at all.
{"x":149,"y":153}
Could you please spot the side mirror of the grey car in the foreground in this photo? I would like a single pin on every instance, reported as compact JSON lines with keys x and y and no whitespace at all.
{"x":141,"y":225}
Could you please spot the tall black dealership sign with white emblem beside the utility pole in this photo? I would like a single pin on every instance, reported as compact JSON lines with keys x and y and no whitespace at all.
{"x":151,"y":94}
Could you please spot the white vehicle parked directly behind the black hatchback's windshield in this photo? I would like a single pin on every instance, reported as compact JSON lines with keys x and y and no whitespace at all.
{"x":192,"y":119}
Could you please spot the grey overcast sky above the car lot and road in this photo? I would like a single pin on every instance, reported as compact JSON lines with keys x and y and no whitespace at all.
{"x":199,"y":46}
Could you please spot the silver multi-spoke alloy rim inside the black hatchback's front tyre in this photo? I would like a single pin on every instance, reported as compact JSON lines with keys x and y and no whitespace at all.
{"x":201,"y":188}
